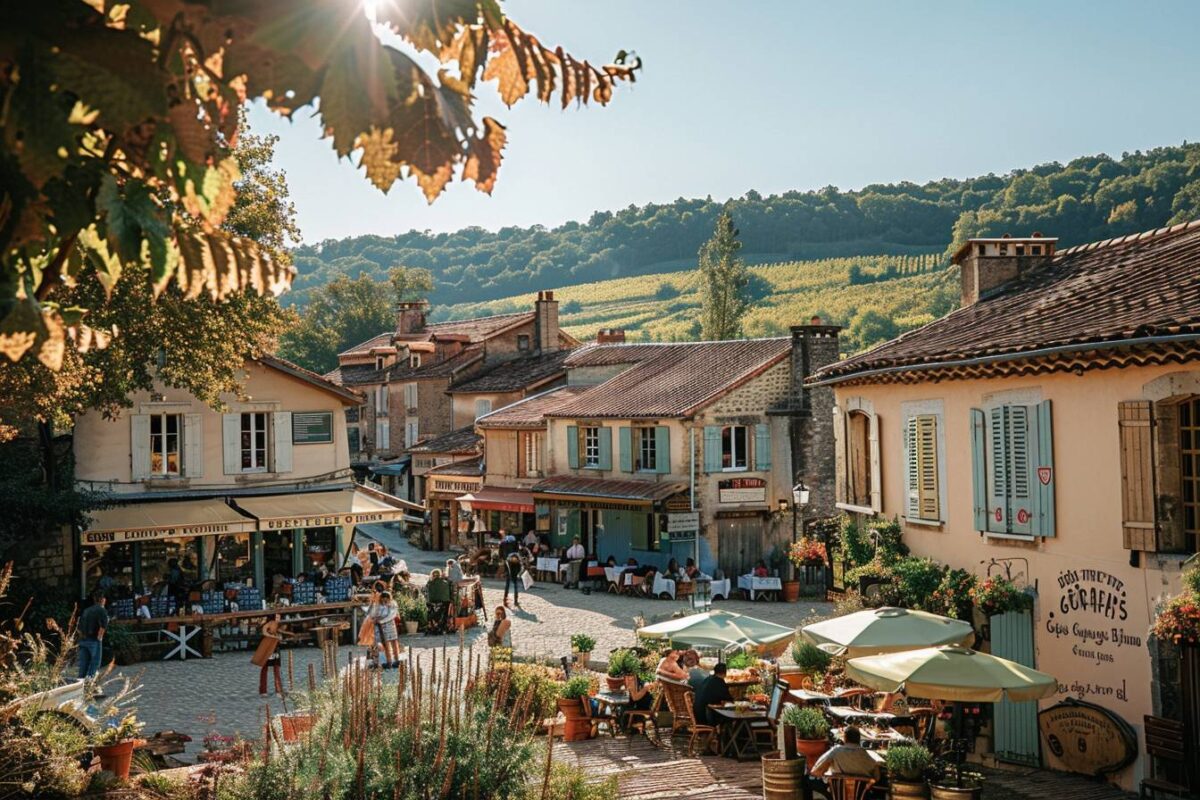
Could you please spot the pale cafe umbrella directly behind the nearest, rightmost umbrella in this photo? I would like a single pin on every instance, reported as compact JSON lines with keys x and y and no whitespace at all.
{"x":886,"y":630}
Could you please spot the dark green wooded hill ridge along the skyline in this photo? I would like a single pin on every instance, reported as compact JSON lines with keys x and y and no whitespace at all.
{"x":1090,"y":199}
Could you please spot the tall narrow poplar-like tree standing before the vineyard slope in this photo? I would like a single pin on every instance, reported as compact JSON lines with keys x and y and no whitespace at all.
{"x":724,"y":281}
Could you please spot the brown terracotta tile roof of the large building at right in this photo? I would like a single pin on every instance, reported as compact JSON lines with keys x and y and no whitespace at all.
{"x":1130,"y":288}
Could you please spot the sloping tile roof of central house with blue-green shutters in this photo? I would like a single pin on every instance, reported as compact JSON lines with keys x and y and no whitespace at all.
{"x":674,"y":380}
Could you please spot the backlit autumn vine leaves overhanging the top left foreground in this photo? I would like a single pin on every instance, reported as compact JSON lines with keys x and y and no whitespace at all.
{"x":118,"y":118}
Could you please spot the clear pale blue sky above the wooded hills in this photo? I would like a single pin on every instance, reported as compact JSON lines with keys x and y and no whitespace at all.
{"x":778,"y":95}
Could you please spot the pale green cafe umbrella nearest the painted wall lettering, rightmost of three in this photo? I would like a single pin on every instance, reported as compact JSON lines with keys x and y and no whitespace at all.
{"x":952,"y":673}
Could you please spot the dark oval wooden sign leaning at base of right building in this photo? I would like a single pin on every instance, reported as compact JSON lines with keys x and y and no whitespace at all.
{"x":1087,"y":738}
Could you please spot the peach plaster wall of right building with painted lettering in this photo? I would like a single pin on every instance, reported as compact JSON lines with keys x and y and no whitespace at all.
{"x":1088,"y":497}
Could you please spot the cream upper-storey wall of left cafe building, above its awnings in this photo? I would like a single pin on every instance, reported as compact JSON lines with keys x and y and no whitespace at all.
{"x":104,"y":452}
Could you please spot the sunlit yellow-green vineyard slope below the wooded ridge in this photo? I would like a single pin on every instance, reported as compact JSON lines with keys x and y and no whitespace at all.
{"x":874,"y":297}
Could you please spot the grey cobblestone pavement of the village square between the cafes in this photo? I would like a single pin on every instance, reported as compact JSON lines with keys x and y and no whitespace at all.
{"x":221,"y":694}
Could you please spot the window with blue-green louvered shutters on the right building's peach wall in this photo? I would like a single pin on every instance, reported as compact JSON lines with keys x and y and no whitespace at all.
{"x":1013,"y":470}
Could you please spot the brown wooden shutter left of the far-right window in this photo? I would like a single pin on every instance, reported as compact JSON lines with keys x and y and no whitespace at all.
{"x":1136,"y":428}
